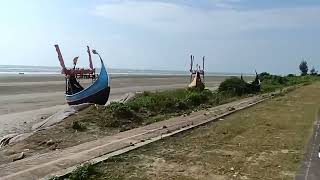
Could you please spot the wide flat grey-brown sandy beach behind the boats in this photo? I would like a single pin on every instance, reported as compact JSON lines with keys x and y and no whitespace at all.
{"x":25,"y":99}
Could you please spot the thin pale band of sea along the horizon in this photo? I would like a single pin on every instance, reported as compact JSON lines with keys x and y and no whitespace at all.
{"x":51,"y":70}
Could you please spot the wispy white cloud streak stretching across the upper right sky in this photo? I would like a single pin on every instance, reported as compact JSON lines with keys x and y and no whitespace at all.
{"x":171,"y":17}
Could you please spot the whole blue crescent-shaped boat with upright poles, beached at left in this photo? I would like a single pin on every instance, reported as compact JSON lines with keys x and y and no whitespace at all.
{"x":97,"y":93}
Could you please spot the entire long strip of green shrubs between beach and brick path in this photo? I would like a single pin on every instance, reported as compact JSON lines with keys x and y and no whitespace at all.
{"x":150,"y":107}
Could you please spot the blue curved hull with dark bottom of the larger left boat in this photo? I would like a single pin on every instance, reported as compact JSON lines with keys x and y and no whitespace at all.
{"x":97,"y":93}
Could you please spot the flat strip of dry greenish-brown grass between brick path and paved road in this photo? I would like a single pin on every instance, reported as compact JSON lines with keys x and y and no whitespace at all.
{"x":266,"y":141}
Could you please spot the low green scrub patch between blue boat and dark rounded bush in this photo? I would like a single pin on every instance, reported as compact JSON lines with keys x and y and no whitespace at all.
{"x":150,"y":107}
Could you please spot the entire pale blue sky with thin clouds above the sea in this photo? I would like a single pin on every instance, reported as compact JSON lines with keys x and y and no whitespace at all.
{"x":234,"y":35}
